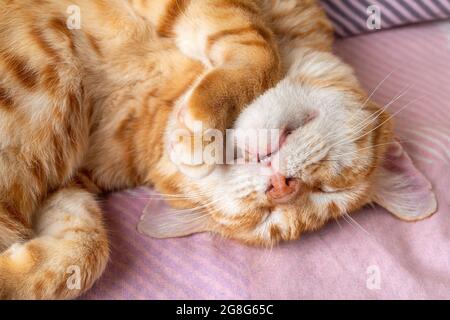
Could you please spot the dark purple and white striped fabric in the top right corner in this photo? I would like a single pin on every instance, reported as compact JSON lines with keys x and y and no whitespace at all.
{"x":350,"y":16}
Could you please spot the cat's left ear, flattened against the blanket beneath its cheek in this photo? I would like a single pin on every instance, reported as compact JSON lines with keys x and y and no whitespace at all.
{"x":172,"y":223}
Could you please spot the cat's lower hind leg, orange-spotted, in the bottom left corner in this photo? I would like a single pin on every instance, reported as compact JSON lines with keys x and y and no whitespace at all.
{"x":67,"y":255}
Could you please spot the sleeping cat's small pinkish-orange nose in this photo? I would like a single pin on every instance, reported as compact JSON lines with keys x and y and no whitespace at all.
{"x":283,"y":190}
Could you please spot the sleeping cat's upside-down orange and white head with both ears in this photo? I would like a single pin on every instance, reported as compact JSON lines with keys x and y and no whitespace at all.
{"x":334,"y":154}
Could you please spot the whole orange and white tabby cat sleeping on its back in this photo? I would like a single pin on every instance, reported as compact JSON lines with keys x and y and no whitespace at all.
{"x":92,"y":108}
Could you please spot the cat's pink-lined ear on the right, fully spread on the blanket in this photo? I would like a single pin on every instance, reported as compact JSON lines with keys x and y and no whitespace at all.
{"x":401,"y":189}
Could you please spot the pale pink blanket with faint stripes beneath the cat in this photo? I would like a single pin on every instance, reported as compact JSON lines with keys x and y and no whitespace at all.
{"x":375,"y":256}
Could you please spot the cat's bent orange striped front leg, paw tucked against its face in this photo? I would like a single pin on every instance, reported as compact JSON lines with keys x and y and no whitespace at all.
{"x":232,"y":40}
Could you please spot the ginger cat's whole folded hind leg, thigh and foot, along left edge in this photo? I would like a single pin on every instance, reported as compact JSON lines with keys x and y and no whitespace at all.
{"x":43,"y":139}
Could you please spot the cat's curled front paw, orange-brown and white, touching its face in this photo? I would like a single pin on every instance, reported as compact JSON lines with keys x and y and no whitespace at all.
{"x":202,"y":119}
